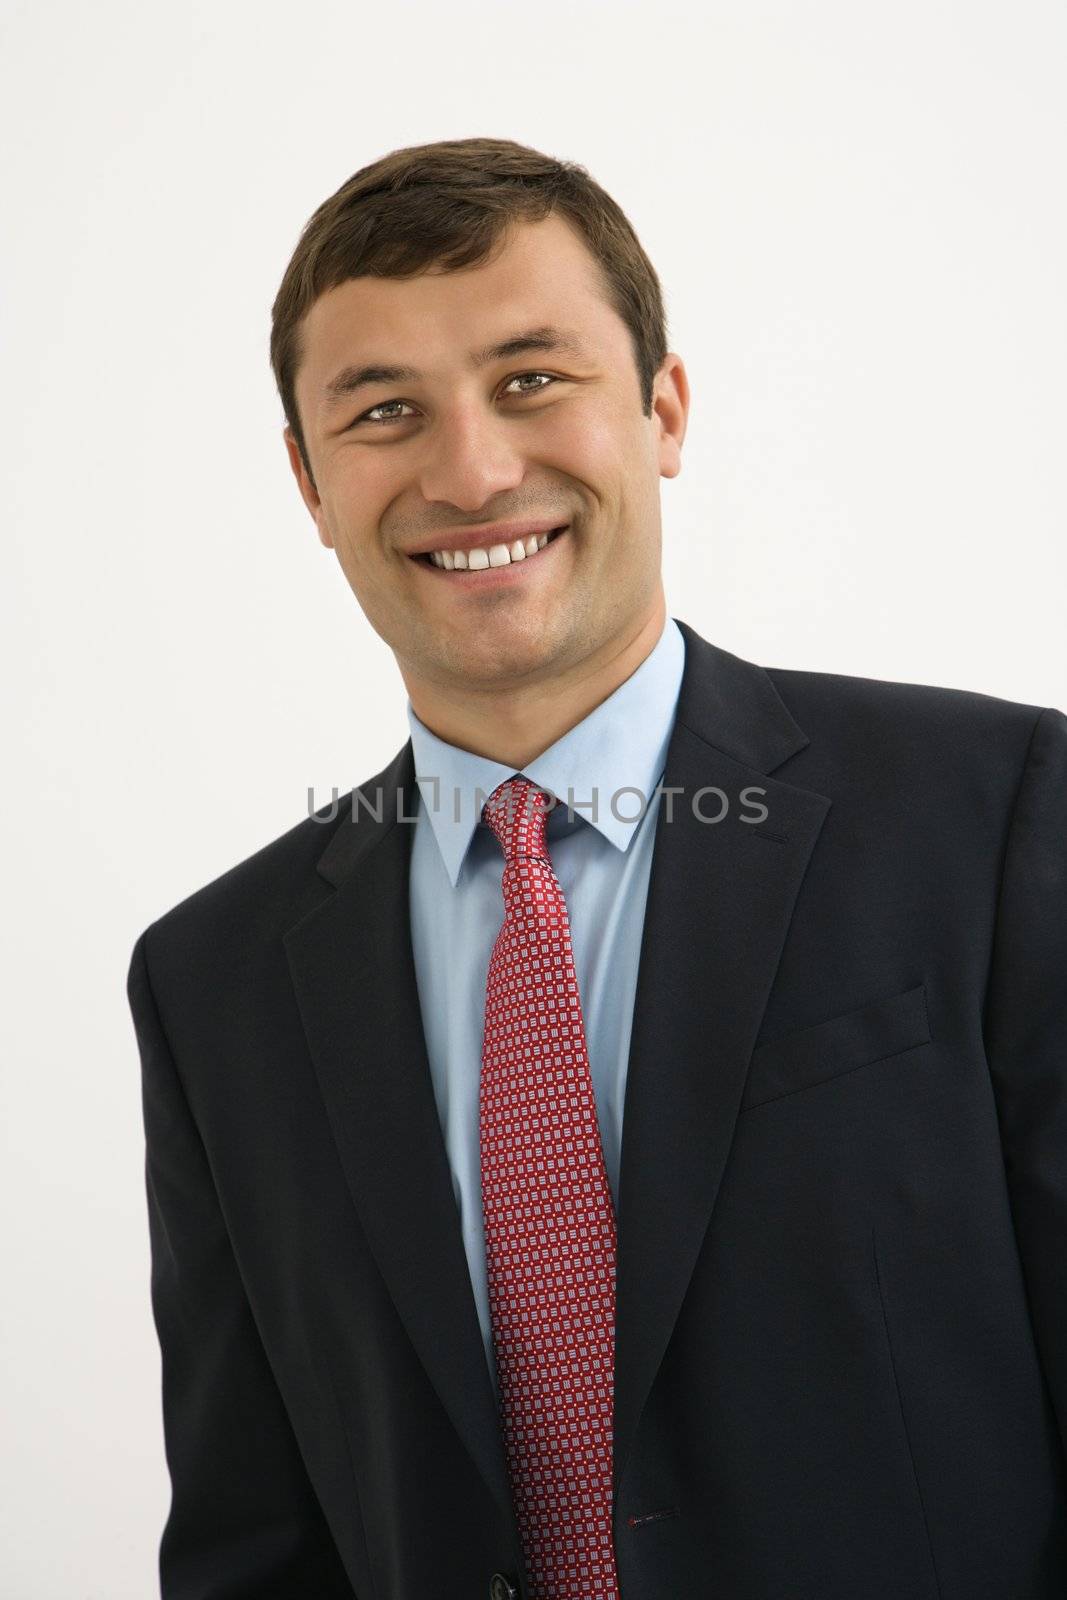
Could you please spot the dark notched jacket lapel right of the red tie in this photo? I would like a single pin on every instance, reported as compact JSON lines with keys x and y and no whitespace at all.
{"x":721,"y":902}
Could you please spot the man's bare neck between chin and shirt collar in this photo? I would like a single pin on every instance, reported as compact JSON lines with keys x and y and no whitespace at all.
{"x":516,"y":726}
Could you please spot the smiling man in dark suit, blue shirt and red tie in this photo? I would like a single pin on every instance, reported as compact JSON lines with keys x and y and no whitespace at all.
{"x":621,"y":1150}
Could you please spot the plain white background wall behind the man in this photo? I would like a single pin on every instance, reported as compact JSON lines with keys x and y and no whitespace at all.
{"x":858,"y":217}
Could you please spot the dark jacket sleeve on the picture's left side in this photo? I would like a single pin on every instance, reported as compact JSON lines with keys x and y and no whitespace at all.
{"x":244,"y":1522}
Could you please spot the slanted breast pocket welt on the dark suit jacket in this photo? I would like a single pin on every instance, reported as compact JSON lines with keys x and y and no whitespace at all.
{"x":857,"y":1039}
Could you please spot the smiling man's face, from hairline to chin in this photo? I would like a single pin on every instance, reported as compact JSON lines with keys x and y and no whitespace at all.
{"x":538,"y":438}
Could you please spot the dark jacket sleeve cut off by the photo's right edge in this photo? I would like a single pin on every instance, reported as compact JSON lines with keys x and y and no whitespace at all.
{"x":1026,"y":1039}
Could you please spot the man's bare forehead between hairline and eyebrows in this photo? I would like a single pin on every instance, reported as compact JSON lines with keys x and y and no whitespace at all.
{"x":543,"y":274}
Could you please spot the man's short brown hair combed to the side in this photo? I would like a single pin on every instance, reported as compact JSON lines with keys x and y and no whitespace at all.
{"x":449,"y":206}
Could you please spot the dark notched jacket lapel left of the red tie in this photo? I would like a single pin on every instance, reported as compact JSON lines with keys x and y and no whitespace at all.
{"x":354,"y":974}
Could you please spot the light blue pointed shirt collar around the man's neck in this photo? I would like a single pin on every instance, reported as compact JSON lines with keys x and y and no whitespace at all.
{"x":621,"y":746}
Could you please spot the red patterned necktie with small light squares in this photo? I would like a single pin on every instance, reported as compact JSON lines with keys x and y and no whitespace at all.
{"x":549,"y":1223}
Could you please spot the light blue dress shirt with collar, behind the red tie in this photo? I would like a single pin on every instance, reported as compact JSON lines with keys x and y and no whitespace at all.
{"x":602,"y":860}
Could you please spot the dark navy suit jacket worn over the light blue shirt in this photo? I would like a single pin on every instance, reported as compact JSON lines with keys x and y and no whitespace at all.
{"x":842,"y":1225}
